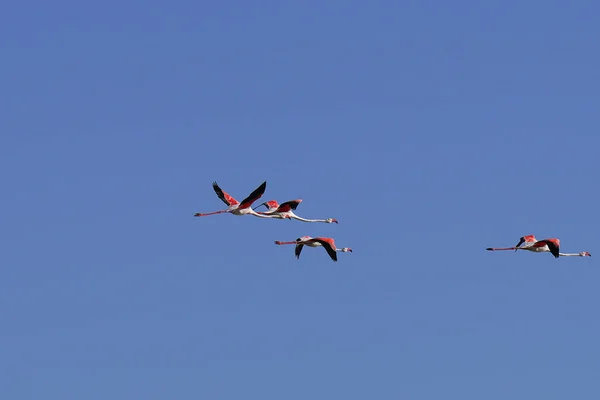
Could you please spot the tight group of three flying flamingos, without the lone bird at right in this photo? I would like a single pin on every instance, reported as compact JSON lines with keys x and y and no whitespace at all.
{"x":275,"y":210}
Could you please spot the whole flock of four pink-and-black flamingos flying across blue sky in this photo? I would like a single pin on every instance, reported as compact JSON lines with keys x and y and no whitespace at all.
{"x":286,"y":210}
